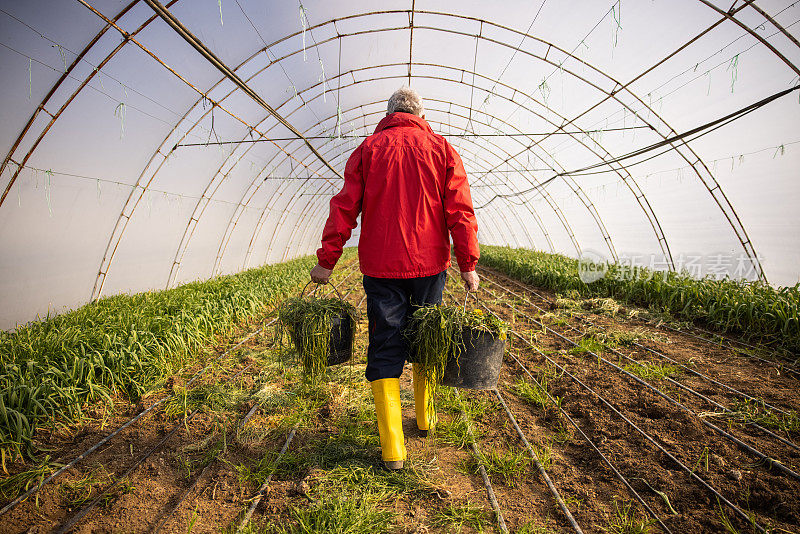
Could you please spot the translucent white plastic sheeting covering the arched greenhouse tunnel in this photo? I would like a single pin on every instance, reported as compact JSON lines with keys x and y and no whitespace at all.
{"x":101,"y":198}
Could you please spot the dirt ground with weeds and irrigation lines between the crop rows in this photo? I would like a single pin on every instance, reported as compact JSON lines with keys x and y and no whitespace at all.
{"x":202,"y":478}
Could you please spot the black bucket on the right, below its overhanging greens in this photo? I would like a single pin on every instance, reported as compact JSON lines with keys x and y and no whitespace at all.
{"x":478,"y":365}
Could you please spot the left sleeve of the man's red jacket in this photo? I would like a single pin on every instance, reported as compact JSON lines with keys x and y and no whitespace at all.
{"x":345,"y":207}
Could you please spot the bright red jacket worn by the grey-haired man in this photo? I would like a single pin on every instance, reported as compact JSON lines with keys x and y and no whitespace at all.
{"x":411,"y":186}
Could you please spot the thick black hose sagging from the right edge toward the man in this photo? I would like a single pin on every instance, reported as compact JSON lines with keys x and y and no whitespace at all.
{"x":700,"y":130}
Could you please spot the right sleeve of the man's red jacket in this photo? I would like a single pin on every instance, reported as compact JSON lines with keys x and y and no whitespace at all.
{"x":459,"y":214}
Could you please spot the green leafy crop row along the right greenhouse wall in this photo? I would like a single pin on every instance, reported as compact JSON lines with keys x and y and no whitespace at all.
{"x":755,"y":310}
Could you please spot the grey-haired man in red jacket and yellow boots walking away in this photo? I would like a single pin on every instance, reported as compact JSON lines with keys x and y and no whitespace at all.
{"x":411,"y":190}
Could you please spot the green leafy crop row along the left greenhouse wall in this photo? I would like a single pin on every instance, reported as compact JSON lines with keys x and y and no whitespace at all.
{"x":52,"y":370}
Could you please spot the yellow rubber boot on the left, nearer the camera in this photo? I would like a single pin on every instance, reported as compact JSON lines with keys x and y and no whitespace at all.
{"x":390,"y":421}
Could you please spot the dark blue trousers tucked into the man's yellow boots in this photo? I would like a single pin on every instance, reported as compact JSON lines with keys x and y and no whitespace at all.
{"x":390,"y":303}
